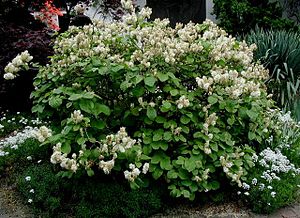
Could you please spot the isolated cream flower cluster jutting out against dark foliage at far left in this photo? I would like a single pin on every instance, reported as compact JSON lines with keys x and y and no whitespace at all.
{"x":18,"y":63}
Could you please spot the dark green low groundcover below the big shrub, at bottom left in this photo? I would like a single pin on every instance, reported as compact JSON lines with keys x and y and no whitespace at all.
{"x":85,"y":197}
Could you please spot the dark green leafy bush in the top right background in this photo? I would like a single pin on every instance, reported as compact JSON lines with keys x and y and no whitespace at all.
{"x":240,"y":16}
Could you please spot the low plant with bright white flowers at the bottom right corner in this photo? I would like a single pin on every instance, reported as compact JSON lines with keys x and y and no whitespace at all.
{"x":275,"y":180}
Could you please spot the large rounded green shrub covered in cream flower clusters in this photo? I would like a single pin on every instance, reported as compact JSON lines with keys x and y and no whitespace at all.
{"x":192,"y":102}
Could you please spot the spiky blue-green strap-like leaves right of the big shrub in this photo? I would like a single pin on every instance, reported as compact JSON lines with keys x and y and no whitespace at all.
{"x":279,"y":51}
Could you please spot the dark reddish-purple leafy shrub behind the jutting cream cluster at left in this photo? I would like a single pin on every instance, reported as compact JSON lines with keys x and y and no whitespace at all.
{"x":17,"y":37}
